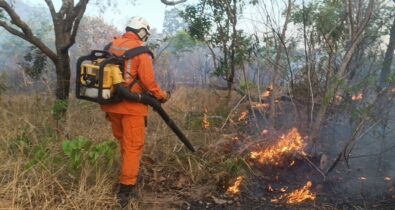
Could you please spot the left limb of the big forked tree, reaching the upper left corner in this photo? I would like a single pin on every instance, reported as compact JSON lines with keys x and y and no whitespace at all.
{"x":26,"y":33}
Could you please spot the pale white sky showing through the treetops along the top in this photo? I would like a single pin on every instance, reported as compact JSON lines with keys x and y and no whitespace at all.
{"x":153,"y":11}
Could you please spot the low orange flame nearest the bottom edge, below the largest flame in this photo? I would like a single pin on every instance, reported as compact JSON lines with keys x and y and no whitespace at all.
{"x":297,"y":196}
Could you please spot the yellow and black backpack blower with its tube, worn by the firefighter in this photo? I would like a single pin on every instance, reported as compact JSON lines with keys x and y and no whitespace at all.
{"x":99,"y":79}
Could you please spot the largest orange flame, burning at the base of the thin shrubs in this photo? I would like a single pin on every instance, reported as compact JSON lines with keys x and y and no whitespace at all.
{"x":289,"y":144}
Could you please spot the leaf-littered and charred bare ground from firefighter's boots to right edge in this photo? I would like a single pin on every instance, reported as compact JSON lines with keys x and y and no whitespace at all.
{"x":256,"y":194}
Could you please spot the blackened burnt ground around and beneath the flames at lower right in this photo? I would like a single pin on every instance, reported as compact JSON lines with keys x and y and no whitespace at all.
{"x":256,"y":193}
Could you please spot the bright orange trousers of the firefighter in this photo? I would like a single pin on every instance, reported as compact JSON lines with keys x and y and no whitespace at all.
{"x":130,"y":131}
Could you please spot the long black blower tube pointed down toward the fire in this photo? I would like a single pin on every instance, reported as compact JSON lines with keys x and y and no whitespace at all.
{"x":156,"y":105}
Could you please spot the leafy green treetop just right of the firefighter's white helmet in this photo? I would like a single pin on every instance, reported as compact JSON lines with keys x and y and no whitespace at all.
{"x":215,"y":23}
